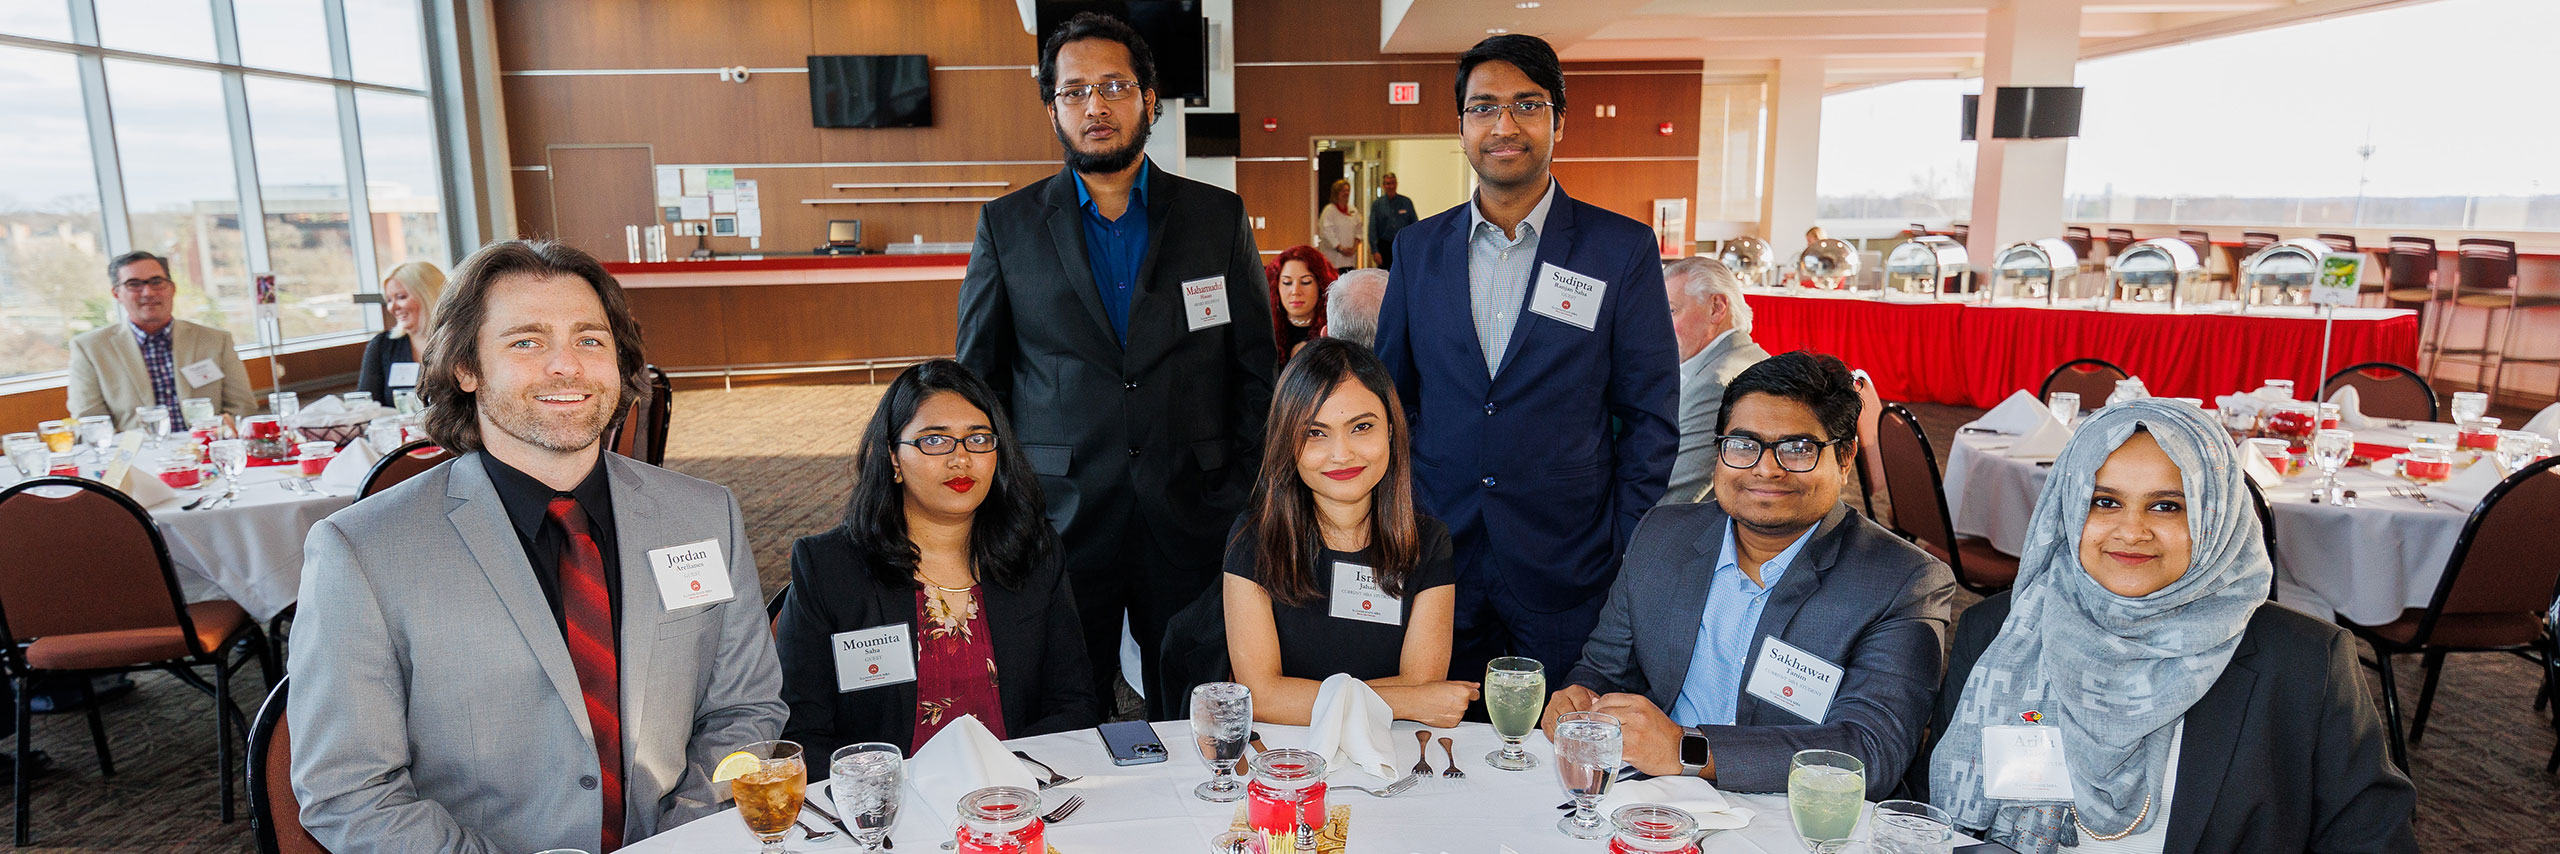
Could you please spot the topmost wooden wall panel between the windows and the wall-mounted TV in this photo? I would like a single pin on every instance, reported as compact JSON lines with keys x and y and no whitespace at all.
{"x":657,"y":35}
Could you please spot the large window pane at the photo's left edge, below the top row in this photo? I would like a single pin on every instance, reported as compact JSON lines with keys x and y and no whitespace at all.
{"x":52,"y":247}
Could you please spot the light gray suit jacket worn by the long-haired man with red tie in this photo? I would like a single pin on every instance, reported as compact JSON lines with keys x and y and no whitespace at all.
{"x":434,"y":699}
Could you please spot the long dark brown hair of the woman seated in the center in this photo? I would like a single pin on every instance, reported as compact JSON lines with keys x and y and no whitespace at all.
{"x":1284,"y":508}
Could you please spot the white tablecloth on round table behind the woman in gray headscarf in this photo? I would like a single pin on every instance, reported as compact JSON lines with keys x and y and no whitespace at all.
{"x":2362,"y":561}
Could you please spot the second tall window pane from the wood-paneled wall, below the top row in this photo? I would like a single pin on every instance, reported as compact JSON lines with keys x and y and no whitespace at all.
{"x":303,"y":193}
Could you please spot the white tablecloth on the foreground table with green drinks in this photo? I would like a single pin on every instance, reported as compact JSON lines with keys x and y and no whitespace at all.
{"x":1151,"y":807}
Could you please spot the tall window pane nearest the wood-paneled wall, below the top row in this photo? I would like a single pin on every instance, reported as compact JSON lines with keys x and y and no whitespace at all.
{"x":403,"y":180}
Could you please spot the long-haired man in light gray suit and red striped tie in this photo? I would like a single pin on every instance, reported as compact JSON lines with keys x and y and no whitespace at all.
{"x":536,"y":646}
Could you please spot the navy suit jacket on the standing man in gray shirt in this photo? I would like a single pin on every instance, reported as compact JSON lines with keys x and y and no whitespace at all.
{"x":1527,"y":469}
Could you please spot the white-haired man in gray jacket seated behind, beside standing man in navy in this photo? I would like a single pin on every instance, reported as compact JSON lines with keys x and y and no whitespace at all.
{"x":1714,"y":329}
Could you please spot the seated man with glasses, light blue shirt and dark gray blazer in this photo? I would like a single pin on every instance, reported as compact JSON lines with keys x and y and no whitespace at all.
{"x":1770,"y":620}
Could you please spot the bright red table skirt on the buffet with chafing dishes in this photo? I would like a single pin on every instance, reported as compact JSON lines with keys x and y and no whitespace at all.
{"x":1975,"y":357}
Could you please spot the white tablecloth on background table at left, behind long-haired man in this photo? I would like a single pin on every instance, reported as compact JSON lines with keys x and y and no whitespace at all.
{"x":247,"y":551}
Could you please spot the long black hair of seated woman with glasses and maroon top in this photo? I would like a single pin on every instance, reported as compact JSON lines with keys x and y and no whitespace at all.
{"x":1010,"y":536}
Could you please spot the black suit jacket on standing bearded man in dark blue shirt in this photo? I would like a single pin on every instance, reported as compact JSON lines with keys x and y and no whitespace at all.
{"x":1164,"y":431}
